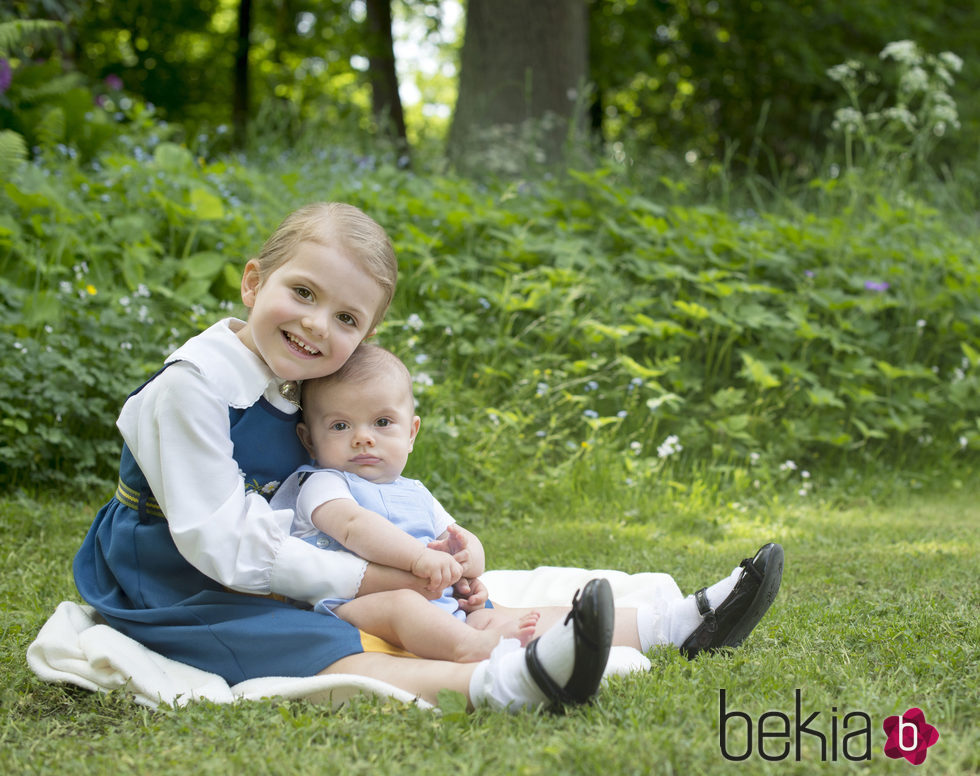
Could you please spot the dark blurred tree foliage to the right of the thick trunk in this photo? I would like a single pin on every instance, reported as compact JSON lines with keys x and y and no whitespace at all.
{"x":745,"y":79}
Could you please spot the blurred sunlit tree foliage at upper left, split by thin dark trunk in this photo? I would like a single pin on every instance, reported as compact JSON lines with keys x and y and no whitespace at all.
{"x":181,"y":59}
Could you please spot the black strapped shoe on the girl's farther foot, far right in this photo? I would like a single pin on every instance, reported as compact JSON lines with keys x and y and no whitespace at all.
{"x":737,"y":615}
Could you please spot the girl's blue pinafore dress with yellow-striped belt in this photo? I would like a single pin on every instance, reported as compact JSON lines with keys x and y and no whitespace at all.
{"x":129,"y":569}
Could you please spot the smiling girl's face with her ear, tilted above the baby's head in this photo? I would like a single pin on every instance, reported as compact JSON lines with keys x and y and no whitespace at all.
{"x":310,"y":313}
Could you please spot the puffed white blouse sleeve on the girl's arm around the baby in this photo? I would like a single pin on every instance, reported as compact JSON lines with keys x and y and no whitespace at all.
{"x":178,"y":430}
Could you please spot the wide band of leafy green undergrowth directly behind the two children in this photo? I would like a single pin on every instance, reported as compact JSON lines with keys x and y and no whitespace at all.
{"x":555,"y":325}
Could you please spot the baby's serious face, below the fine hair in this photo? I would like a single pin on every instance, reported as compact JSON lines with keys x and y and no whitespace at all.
{"x":364,"y":428}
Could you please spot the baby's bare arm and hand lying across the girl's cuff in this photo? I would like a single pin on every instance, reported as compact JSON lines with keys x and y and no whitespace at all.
{"x":375,"y":539}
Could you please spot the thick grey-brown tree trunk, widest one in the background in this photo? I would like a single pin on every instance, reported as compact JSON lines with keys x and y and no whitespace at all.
{"x":521,"y":60}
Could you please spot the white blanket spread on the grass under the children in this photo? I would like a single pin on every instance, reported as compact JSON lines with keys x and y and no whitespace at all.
{"x":74,"y":646}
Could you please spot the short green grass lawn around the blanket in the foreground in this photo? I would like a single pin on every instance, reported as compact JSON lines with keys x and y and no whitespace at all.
{"x":878,"y":613}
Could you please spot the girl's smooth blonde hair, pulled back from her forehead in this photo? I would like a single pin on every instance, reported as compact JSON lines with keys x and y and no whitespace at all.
{"x":345,"y":226}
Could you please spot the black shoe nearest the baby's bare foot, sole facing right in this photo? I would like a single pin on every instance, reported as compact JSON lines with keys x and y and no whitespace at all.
{"x":593,"y":616}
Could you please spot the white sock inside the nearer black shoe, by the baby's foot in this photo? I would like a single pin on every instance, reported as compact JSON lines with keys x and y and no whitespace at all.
{"x":504,"y":682}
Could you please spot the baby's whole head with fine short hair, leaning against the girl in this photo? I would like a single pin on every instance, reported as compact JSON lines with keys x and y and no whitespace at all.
{"x":361,"y":418}
